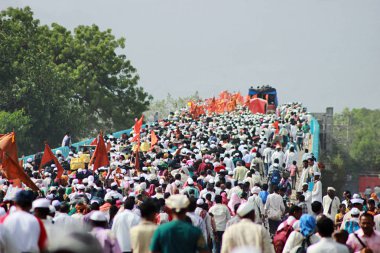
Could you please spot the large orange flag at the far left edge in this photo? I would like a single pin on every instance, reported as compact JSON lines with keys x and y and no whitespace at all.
{"x":9,"y":161}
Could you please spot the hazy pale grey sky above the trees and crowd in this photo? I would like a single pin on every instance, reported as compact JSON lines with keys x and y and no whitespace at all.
{"x":319,"y":52}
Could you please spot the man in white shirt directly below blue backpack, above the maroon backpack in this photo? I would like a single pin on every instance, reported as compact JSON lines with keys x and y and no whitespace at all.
{"x":274,"y":209}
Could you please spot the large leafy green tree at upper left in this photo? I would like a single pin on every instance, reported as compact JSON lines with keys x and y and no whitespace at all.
{"x":65,"y":81}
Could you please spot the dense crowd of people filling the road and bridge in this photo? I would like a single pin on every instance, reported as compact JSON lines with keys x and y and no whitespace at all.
{"x":232,"y":182}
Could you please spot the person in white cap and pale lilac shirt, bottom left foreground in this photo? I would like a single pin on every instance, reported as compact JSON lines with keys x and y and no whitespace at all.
{"x":107,"y":240}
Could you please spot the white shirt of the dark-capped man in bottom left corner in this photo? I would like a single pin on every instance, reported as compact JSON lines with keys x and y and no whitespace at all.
{"x":22,"y":232}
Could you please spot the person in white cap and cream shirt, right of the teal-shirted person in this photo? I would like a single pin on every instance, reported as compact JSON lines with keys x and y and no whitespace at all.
{"x":246,"y":232}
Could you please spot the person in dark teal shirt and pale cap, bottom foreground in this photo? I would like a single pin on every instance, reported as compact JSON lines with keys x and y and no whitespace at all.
{"x":178,"y":235}
